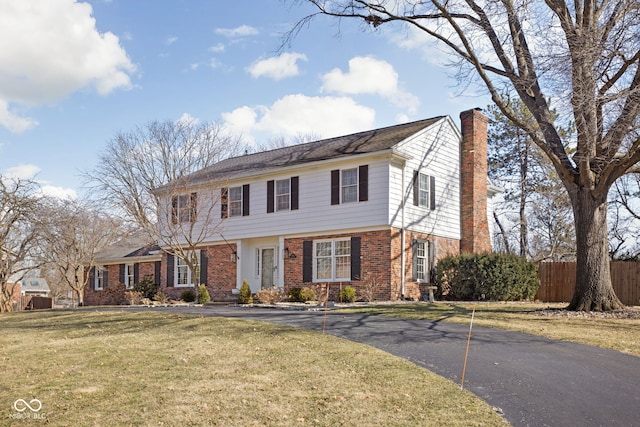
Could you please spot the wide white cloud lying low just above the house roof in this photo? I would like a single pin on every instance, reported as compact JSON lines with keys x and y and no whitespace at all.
{"x":299,"y":114}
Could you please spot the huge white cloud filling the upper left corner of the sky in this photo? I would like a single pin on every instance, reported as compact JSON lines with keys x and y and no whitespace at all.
{"x":54,"y":50}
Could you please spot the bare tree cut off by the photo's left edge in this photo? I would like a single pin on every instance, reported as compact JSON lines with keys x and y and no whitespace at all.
{"x":19,"y":232}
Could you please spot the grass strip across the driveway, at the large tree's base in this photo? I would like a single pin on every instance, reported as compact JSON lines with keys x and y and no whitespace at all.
{"x":620,"y":334}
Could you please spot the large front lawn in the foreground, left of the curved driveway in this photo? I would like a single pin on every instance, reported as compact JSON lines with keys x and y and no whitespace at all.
{"x":145,"y":368}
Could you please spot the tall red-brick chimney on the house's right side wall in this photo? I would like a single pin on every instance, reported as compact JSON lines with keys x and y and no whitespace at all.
{"x":473,"y":183}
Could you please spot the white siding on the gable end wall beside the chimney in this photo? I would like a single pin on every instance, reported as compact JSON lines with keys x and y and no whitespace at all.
{"x":435,"y":152}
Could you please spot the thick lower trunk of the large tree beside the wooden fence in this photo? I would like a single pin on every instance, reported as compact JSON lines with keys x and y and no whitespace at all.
{"x":594,"y":289}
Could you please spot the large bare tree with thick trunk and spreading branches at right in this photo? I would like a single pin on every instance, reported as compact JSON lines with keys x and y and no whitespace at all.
{"x":582,"y":55}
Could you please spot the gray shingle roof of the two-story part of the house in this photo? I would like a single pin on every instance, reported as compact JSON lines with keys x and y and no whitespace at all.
{"x":358,"y":143}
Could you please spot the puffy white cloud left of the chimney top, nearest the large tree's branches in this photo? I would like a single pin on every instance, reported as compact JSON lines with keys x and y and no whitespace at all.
{"x":368,"y":75}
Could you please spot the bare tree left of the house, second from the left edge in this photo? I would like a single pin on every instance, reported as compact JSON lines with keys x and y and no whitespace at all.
{"x":74,"y":234}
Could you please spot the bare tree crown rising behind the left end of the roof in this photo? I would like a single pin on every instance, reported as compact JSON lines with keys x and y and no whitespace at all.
{"x":136,"y":163}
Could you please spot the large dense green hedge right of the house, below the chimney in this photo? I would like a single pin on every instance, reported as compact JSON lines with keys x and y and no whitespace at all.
{"x":496,"y":277}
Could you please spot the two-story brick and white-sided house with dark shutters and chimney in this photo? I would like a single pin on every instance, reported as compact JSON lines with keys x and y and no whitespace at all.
{"x":374,"y":210}
